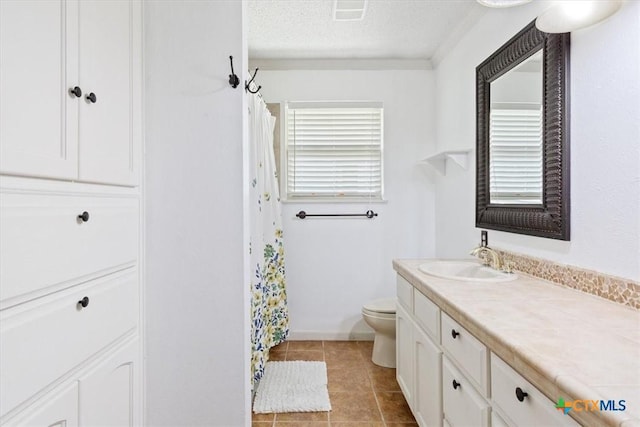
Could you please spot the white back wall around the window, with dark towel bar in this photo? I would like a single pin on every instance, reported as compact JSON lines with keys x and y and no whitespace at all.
{"x":336,"y":265}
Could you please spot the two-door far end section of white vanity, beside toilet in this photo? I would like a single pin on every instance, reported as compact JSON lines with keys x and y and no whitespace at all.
{"x":418,"y":355}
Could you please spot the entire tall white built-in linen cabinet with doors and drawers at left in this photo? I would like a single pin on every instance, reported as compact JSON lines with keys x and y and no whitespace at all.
{"x":70,"y":221}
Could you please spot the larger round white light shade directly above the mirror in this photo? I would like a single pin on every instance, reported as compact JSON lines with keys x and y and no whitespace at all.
{"x":570,"y":15}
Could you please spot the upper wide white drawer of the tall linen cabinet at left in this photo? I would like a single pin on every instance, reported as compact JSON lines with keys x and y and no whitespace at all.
{"x":44,"y":243}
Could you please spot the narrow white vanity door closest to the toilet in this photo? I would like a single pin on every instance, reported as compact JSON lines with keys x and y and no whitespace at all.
{"x":404,"y":354}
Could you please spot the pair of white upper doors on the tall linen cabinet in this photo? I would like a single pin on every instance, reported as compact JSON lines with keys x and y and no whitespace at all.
{"x":70,"y":89}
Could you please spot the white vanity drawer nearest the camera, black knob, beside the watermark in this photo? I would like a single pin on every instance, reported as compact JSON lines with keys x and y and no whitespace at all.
{"x":535,"y":409}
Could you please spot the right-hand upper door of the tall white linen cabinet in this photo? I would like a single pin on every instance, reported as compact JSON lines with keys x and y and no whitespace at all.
{"x":110,"y":52}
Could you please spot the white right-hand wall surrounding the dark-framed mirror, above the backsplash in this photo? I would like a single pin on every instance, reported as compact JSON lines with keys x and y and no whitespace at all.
{"x":605,"y":148}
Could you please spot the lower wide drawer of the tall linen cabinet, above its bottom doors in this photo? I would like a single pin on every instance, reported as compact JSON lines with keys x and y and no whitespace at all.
{"x":42,"y":340}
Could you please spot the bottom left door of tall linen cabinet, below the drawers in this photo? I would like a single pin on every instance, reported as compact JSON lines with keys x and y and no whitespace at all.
{"x":59,"y":409}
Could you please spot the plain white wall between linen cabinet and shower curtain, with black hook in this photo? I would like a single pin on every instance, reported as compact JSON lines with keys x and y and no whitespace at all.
{"x":197,"y":340}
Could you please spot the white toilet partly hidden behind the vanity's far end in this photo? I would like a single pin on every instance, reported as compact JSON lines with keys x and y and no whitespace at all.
{"x":380,"y":314}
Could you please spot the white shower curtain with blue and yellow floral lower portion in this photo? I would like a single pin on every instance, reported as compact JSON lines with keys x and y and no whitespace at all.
{"x":269,"y":312}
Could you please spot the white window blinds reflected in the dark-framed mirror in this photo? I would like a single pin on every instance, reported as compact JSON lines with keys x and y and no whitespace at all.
{"x":516,"y":156}
